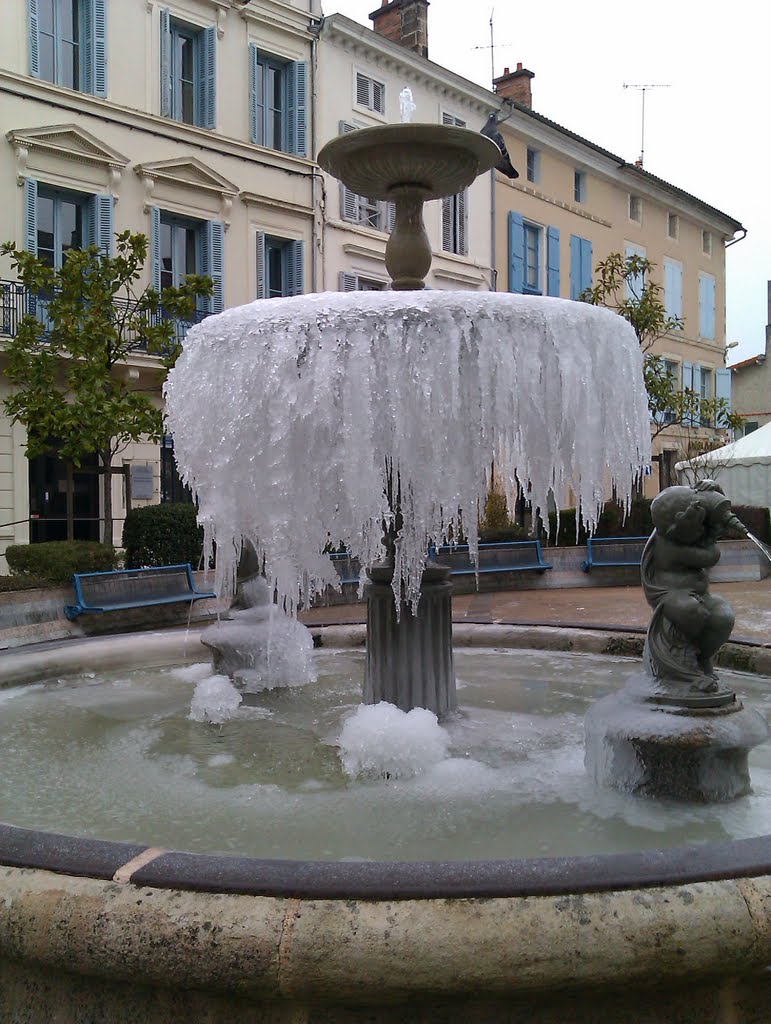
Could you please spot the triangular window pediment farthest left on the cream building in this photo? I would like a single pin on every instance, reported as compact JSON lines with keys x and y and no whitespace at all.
{"x":65,"y":142}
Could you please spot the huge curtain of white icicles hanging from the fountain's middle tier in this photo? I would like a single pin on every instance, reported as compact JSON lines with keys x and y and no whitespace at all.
{"x":286,"y":412}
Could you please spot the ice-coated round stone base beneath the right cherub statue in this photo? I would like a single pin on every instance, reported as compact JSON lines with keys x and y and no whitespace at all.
{"x":645,"y":742}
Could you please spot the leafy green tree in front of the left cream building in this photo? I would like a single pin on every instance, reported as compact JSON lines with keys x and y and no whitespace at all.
{"x":67,"y":363}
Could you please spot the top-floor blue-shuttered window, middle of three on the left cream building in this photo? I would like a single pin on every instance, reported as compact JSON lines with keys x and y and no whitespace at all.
{"x":189,"y":72}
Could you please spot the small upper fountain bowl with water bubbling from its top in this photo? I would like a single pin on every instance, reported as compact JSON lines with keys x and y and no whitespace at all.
{"x":440,"y":159}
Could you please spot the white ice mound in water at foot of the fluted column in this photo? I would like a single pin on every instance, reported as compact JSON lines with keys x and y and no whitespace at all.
{"x":382,"y":742}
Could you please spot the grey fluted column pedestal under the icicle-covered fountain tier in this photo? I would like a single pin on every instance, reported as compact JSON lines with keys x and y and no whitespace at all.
{"x":410,"y":660}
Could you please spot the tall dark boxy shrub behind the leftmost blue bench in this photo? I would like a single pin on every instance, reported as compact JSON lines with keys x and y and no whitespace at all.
{"x":163,"y":535}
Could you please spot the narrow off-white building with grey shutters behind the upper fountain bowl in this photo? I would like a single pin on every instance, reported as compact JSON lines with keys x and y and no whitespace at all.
{"x":363,"y":78}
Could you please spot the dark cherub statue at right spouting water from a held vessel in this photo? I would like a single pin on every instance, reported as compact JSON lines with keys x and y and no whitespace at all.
{"x":690,"y":625}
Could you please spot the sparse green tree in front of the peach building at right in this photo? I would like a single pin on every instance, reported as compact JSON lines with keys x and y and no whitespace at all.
{"x":625,"y":284}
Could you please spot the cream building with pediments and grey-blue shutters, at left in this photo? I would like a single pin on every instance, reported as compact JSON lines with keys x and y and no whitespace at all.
{"x":190,"y":121}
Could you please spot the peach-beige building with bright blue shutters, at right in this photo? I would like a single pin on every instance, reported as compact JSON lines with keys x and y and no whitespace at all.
{"x":574,"y":204}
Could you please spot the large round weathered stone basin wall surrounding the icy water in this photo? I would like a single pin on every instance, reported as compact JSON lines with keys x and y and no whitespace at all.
{"x":121,"y":932}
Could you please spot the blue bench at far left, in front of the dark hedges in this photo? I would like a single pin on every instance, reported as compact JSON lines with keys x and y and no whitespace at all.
{"x":116,"y":591}
